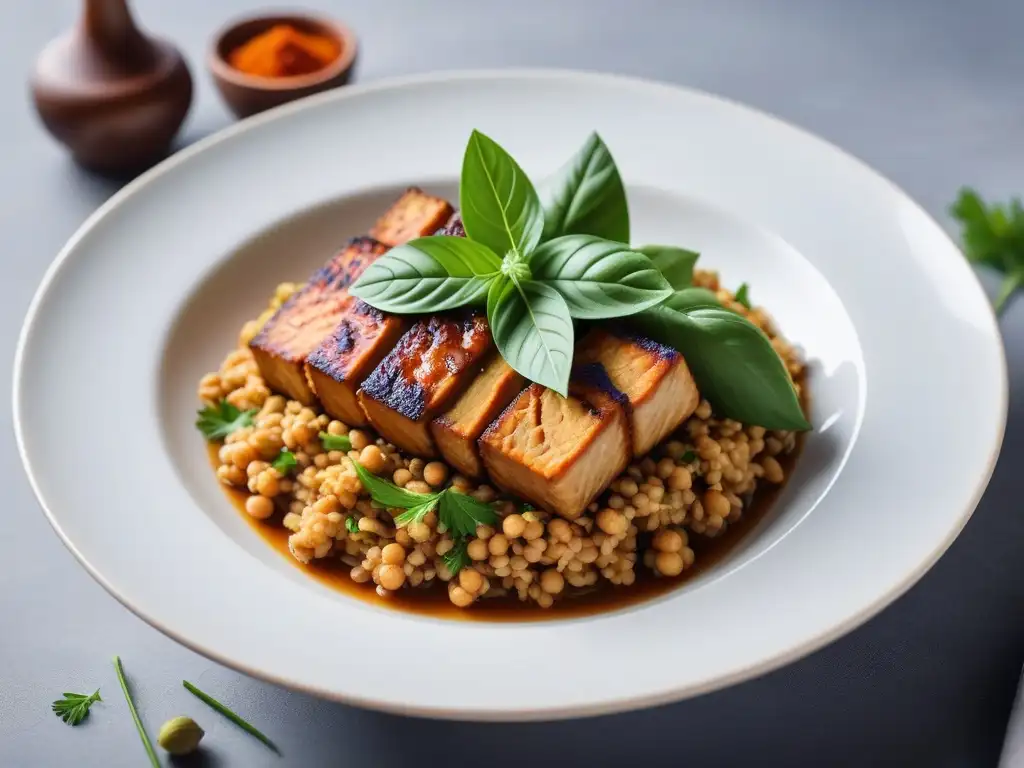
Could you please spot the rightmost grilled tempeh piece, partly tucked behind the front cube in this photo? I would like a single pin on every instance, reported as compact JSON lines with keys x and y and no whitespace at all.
{"x":655,"y":378}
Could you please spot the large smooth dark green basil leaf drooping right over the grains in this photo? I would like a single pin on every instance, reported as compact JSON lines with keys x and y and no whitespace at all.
{"x":735,"y":364}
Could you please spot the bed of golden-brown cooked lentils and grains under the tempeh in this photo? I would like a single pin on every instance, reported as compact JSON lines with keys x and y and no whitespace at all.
{"x":698,"y":483}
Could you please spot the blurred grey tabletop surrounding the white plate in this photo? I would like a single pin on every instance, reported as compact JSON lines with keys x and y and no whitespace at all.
{"x":930,"y":93}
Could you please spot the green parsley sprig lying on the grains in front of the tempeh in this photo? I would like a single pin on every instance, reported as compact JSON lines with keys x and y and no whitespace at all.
{"x":459,"y":514}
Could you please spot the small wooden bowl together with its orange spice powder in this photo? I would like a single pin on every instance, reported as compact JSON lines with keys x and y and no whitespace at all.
{"x":265,"y":62}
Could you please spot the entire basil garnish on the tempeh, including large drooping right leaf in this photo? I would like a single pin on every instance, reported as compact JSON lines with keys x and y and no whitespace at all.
{"x":540,"y":263}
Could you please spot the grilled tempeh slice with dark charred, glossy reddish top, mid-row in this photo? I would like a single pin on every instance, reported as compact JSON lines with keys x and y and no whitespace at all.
{"x":433,"y":363}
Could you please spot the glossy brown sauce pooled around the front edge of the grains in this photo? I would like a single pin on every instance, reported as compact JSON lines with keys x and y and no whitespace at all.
{"x":575,"y":603}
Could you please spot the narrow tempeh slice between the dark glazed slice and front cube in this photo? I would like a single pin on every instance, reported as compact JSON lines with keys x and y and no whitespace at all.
{"x":457,"y":431}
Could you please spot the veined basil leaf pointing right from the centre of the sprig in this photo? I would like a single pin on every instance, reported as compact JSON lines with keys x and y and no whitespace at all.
{"x":599,"y":278}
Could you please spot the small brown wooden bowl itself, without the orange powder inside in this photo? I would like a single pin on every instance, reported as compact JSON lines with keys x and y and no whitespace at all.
{"x":248,"y":95}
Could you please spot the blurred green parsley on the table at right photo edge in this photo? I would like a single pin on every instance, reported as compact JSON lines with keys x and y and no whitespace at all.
{"x":993,"y":235}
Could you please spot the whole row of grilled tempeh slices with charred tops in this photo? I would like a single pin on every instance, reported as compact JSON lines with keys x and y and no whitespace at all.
{"x":437,"y":386}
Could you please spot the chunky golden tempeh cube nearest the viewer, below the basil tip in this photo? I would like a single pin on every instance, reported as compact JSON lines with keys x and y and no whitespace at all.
{"x":559,"y":452}
